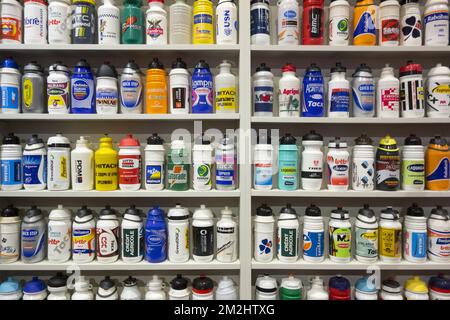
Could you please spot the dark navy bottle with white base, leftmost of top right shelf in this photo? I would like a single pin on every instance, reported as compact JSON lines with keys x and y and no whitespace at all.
{"x":260,"y":22}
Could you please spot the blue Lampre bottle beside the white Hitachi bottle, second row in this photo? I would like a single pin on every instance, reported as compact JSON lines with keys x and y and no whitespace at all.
{"x":202,"y":89}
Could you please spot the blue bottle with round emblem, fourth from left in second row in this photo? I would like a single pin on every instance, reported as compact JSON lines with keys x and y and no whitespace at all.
{"x":82,"y":88}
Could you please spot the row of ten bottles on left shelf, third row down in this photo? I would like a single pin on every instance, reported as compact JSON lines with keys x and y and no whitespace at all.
{"x":55,"y":167}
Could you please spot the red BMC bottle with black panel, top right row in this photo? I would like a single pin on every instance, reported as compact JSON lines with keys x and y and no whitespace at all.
{"x":313,"y":17}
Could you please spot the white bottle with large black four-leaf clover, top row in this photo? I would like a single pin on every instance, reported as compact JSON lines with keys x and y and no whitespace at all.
{"x":411,"y":22}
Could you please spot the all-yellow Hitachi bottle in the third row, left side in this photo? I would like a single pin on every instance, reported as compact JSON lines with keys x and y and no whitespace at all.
{"x":106,"y":166}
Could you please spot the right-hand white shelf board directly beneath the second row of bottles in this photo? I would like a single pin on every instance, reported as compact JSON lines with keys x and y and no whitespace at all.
{"x":373,"y":121}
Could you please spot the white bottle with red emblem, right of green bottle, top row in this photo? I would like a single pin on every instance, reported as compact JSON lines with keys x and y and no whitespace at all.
{"x":156,"y":23}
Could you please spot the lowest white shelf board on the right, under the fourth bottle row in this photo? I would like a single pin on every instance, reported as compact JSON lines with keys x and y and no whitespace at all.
{"x":353,"y":265}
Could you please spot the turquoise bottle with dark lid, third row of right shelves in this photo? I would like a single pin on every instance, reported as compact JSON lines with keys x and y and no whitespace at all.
{"x":288,"y":163}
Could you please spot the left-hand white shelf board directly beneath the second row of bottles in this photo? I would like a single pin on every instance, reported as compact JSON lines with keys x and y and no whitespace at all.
{"x":118,"y":117}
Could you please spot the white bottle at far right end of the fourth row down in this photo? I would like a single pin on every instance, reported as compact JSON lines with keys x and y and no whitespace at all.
{"x":438,"y":234}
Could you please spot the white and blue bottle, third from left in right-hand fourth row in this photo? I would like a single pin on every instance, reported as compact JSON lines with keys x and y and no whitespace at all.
{"x":313,"y":235}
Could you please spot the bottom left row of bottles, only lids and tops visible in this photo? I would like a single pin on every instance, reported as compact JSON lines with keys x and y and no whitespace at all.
{"x":59,"y":287}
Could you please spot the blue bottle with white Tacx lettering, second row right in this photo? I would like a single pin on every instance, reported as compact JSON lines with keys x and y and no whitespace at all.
{"x":313,"y":92}
